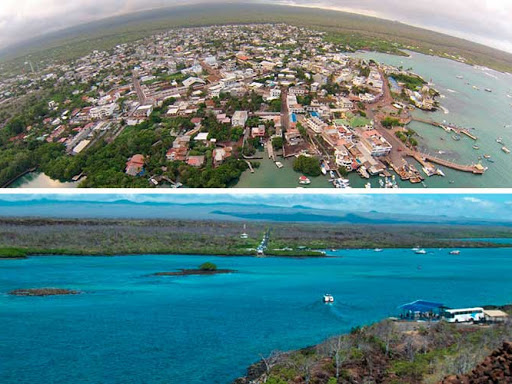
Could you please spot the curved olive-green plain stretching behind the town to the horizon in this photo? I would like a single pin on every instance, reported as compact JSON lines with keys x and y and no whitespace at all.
{"x":356,"y":31}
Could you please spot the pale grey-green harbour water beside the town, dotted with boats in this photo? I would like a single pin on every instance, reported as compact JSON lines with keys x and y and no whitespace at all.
{"x":489,"y":113}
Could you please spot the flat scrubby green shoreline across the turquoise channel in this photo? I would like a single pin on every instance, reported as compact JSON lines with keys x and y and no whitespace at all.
{"x":22,"y":237}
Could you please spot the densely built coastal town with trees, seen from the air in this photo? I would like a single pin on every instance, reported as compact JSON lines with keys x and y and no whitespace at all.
{"x":197,"y":107}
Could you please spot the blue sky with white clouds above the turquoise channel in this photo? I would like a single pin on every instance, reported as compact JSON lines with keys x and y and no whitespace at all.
{"x":488,"y":207}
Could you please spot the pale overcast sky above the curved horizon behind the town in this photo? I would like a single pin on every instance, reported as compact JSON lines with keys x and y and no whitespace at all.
{"x":484,"y":21}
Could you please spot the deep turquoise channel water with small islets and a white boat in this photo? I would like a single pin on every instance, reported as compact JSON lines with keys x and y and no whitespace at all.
{"x":129,"y":327}
